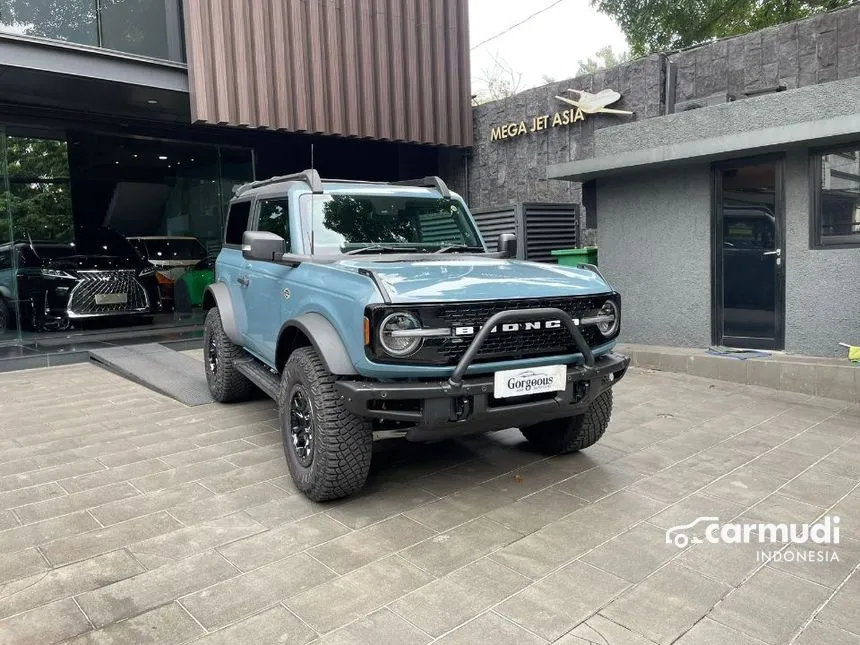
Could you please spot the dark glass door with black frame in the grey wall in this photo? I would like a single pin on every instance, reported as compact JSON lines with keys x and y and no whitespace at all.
{"x":749,"y":254}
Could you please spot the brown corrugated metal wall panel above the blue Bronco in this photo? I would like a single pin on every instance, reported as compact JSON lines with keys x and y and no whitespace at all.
{"x":383,"y":69}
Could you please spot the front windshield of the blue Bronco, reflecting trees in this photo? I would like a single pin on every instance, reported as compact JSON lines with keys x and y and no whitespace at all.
{"x":348,"y":223}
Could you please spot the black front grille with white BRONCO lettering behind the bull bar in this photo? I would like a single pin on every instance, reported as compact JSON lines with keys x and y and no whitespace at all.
{"x":501,"y":345}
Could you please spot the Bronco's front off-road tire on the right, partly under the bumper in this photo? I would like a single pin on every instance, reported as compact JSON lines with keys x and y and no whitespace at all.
{"x":562,"y":436}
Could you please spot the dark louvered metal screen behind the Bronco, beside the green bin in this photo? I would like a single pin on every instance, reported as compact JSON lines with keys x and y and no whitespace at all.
{"x":540,"y":228}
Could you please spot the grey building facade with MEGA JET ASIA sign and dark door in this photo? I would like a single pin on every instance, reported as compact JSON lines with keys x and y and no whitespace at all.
{"x":726,"y":205}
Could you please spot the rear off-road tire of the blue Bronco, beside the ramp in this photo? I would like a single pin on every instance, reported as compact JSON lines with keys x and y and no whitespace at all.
{"x":226,"y":383}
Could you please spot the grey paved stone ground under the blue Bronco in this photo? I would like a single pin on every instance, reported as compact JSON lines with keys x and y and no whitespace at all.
{"x":128,"y":518}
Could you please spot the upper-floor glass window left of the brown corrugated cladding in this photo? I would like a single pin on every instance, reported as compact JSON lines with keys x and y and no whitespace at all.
{"x":150,"y":28}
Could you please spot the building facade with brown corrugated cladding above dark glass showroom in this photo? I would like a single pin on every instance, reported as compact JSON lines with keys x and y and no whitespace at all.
{"x":128,"y":122}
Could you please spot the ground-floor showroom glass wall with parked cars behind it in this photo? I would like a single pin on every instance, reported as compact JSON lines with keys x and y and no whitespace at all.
{"x":101,"y":231}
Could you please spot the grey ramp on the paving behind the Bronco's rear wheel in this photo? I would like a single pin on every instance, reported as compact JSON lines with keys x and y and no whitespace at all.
{"x":159,"y":368}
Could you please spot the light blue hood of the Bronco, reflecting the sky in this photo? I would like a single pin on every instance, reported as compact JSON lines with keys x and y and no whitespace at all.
{"x":476,"y":278}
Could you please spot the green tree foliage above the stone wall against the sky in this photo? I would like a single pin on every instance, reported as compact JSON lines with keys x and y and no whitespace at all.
{"x":662,"y":25}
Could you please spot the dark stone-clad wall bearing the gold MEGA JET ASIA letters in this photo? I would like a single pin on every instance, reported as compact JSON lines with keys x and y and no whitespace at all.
{"x":817,"y":50}
